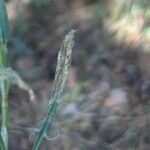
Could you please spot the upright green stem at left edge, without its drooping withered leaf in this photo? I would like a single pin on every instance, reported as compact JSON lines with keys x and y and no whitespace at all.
{"x":4,"y":37}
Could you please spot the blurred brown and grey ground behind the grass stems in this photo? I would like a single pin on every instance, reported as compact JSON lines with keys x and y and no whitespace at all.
{"x":107,"y":100}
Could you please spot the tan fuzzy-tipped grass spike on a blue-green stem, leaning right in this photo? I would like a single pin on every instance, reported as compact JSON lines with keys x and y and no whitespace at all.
{"x":61,"y":75}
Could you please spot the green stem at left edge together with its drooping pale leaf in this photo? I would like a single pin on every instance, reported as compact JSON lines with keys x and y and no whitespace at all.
{"x":6,"y":75}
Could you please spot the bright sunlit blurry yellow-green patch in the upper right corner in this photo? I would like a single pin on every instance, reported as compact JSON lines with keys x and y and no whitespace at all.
{"x":127,"y":20}
